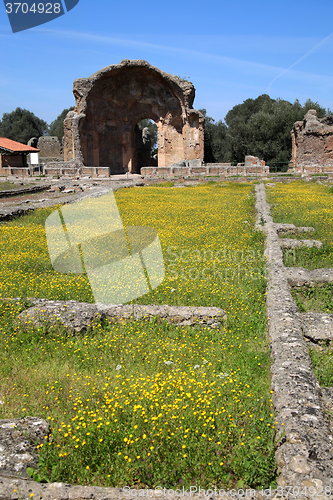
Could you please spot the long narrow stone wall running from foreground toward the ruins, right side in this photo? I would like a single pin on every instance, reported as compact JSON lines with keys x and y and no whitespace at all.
{"x":305,"y":442}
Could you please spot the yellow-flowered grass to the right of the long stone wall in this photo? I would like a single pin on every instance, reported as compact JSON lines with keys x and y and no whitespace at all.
{"x":309,"y":204}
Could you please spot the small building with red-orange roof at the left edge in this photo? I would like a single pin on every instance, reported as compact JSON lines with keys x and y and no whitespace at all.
{"x":14,"y":157}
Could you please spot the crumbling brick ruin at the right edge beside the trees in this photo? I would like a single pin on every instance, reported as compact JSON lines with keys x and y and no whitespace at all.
{"x":312,"y":143}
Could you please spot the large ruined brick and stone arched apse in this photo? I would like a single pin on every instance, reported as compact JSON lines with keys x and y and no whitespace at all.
{"x":100,"y":131}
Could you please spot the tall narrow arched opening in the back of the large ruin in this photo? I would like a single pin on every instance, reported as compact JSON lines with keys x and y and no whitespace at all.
{"x":146,"y":144}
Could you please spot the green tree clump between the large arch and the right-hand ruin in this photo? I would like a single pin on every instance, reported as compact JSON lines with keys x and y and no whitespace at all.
{"x":259,"y":127}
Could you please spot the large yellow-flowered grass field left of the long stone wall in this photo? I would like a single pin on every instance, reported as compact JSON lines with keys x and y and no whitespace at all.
{"x":139,"y":403}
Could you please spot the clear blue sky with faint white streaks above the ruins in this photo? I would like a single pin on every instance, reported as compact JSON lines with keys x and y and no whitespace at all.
{"x":231,"y":50}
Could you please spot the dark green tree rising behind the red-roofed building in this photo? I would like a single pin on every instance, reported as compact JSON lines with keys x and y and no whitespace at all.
{"x":21,"y":125}
